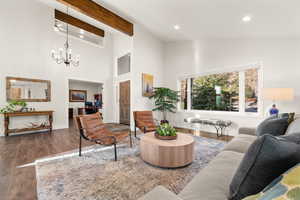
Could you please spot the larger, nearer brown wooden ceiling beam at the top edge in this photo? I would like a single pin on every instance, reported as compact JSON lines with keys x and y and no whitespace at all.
{"x":101,"y":14}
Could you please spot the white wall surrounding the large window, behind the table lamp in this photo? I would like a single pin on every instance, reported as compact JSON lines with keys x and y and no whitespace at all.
{"x":280,"y":59}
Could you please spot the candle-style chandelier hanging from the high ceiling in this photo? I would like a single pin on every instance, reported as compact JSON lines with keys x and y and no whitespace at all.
{"x":64,"y":55}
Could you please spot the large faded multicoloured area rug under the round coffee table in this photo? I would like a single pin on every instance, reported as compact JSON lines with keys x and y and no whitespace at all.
{"x":95,"y":176}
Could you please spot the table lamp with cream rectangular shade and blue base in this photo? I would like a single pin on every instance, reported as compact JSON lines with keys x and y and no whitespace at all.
{"x":276,"y":95}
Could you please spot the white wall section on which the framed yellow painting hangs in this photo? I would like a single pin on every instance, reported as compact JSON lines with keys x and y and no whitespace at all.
{"x":148,"y":57}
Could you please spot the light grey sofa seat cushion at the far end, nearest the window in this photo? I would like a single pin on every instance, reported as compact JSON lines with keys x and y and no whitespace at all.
{"x":240,"y":143}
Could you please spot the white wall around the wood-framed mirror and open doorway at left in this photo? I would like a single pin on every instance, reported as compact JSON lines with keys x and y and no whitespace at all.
{"x":26,"y":39}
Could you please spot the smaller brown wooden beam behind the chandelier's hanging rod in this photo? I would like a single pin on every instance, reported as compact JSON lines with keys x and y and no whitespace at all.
{"x":78,"y":23}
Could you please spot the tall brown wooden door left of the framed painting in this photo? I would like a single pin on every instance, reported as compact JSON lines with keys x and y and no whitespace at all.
{"x":124,"y":102}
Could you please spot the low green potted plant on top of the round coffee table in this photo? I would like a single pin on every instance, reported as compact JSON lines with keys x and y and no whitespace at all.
{"x":166,"y":132}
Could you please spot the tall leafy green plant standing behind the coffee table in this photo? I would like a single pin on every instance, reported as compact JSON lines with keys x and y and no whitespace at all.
{"x":165,"y":100}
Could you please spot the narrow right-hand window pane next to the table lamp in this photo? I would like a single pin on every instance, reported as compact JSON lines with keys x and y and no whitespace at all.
{"x":251,"y":88}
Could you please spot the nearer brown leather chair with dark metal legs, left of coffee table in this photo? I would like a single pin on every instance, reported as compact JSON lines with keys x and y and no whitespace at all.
{"x":92,"y":128}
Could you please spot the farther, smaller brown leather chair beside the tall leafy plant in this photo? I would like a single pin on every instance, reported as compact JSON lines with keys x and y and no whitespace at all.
{"x":144,"y":121}
